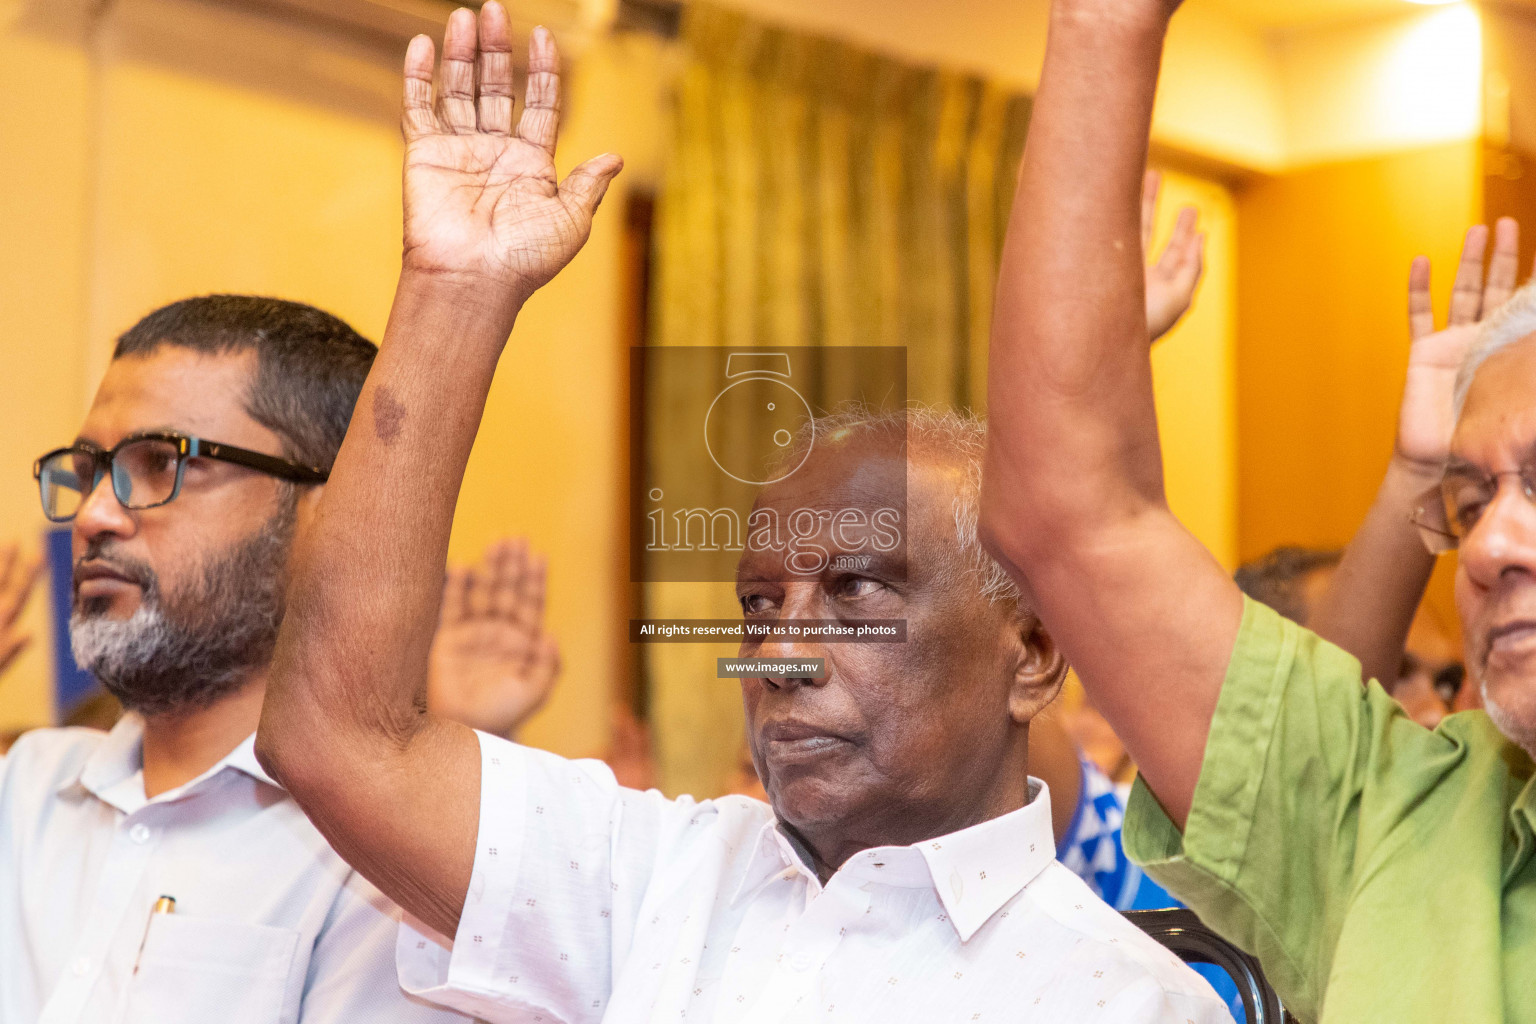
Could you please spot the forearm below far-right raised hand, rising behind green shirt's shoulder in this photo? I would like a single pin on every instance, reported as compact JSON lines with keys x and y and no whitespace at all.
{"x":1371,"y":601}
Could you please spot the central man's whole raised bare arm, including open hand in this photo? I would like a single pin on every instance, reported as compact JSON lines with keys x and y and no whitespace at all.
{"x":346,"y":728}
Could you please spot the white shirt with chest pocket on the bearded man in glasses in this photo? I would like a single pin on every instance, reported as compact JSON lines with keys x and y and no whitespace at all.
{"x":270,"y":927}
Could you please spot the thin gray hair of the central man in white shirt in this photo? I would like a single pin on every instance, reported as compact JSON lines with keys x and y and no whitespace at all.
{"x":955,"y":437}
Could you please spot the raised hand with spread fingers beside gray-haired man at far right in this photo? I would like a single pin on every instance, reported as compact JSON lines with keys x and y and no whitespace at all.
{"x":1428,"y":415}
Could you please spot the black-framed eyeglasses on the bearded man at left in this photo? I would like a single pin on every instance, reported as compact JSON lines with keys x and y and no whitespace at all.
{"x":147,"y":471}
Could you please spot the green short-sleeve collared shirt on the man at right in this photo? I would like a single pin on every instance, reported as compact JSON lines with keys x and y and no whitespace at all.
{"x":1379,"y":871}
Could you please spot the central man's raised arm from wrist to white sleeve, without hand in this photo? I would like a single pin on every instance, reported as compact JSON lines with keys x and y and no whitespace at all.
{"x":345,"y":725}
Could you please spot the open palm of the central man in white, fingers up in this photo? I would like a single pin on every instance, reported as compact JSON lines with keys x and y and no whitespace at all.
{"x":483,"y":200}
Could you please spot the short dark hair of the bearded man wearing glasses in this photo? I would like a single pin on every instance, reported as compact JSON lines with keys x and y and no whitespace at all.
{"x":310,"y":365}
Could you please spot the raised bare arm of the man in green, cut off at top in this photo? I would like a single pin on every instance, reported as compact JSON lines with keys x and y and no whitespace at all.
{"x":1073,"y":492}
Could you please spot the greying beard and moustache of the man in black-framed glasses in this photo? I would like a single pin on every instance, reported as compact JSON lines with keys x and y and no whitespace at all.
{"x":188,"y":650}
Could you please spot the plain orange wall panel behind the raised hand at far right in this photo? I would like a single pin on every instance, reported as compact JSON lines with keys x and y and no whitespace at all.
{"x":1323,"y":329}
